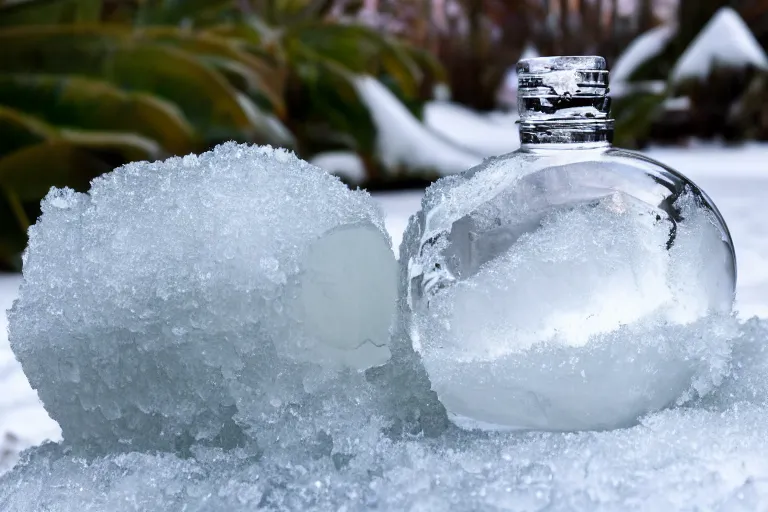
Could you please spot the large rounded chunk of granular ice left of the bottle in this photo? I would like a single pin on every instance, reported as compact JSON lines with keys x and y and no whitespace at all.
{"x":198,"y":298}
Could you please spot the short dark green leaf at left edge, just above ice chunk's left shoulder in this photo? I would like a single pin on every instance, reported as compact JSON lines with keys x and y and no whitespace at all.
{"x":30,"y":172}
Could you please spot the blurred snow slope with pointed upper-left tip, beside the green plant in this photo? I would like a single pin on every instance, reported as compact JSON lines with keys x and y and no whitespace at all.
{"x":403,"y":142}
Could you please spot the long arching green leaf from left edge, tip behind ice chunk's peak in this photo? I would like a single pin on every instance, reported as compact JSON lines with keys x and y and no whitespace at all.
{"x":204,"y":95}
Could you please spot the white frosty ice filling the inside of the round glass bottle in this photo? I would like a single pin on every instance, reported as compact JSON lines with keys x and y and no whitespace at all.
{"x":604,"y":312}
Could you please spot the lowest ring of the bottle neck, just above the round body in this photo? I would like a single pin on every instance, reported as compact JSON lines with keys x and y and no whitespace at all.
{"x":565,"y":133}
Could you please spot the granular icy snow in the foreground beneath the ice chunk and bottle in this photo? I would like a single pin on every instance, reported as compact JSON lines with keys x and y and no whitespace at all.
{"x":707,"y":456}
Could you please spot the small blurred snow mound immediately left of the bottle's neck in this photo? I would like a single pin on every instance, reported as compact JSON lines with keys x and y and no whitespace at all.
{"x":472,"y":131}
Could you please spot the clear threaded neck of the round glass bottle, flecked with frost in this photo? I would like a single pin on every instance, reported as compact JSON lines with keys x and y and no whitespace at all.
{"x":564,"y":100}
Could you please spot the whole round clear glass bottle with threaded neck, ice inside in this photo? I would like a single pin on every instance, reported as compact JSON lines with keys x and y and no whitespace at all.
{"x":569,"y":285}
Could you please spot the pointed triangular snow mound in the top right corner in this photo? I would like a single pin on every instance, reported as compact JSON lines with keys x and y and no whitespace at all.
{"x":725,"y":41}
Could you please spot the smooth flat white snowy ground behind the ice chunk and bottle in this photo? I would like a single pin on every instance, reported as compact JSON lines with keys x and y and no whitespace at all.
{"x":737,"y":180}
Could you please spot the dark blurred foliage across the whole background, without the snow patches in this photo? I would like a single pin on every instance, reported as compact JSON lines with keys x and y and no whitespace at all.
{"x":87,"y":85}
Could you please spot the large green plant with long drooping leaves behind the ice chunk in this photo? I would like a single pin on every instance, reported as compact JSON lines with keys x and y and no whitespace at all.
{"x":86,"y":85}
